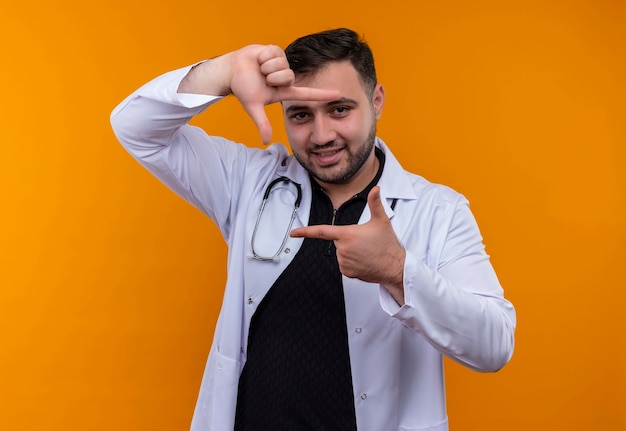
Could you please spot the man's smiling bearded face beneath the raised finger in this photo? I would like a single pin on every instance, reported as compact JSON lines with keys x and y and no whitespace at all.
{"x":334,"y":140}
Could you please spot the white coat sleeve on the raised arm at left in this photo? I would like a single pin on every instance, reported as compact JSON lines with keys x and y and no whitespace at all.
{"x":207,"y":171}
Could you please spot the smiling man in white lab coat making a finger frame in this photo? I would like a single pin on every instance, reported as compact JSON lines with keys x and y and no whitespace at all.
{"x":348,"y":277}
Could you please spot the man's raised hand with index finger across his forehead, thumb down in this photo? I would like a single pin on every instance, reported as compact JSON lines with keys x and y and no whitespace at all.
{"x":257,"y":75}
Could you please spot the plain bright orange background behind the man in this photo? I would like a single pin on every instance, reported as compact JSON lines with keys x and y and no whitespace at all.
{"x":110,"y":284}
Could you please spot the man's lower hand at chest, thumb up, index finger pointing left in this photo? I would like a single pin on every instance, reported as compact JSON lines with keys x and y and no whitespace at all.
{"x":370,"y":252}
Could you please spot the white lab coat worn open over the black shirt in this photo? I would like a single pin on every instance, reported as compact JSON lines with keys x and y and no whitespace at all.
{"x":454,"y":304}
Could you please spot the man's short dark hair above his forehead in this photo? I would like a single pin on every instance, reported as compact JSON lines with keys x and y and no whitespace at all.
{"x":309,"y":54}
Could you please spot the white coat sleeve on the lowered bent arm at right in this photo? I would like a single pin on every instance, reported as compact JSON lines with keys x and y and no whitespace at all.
{"x":452,"y":295}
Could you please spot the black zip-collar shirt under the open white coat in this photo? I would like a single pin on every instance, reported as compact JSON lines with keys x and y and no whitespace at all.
{"x":297,"y":375}
